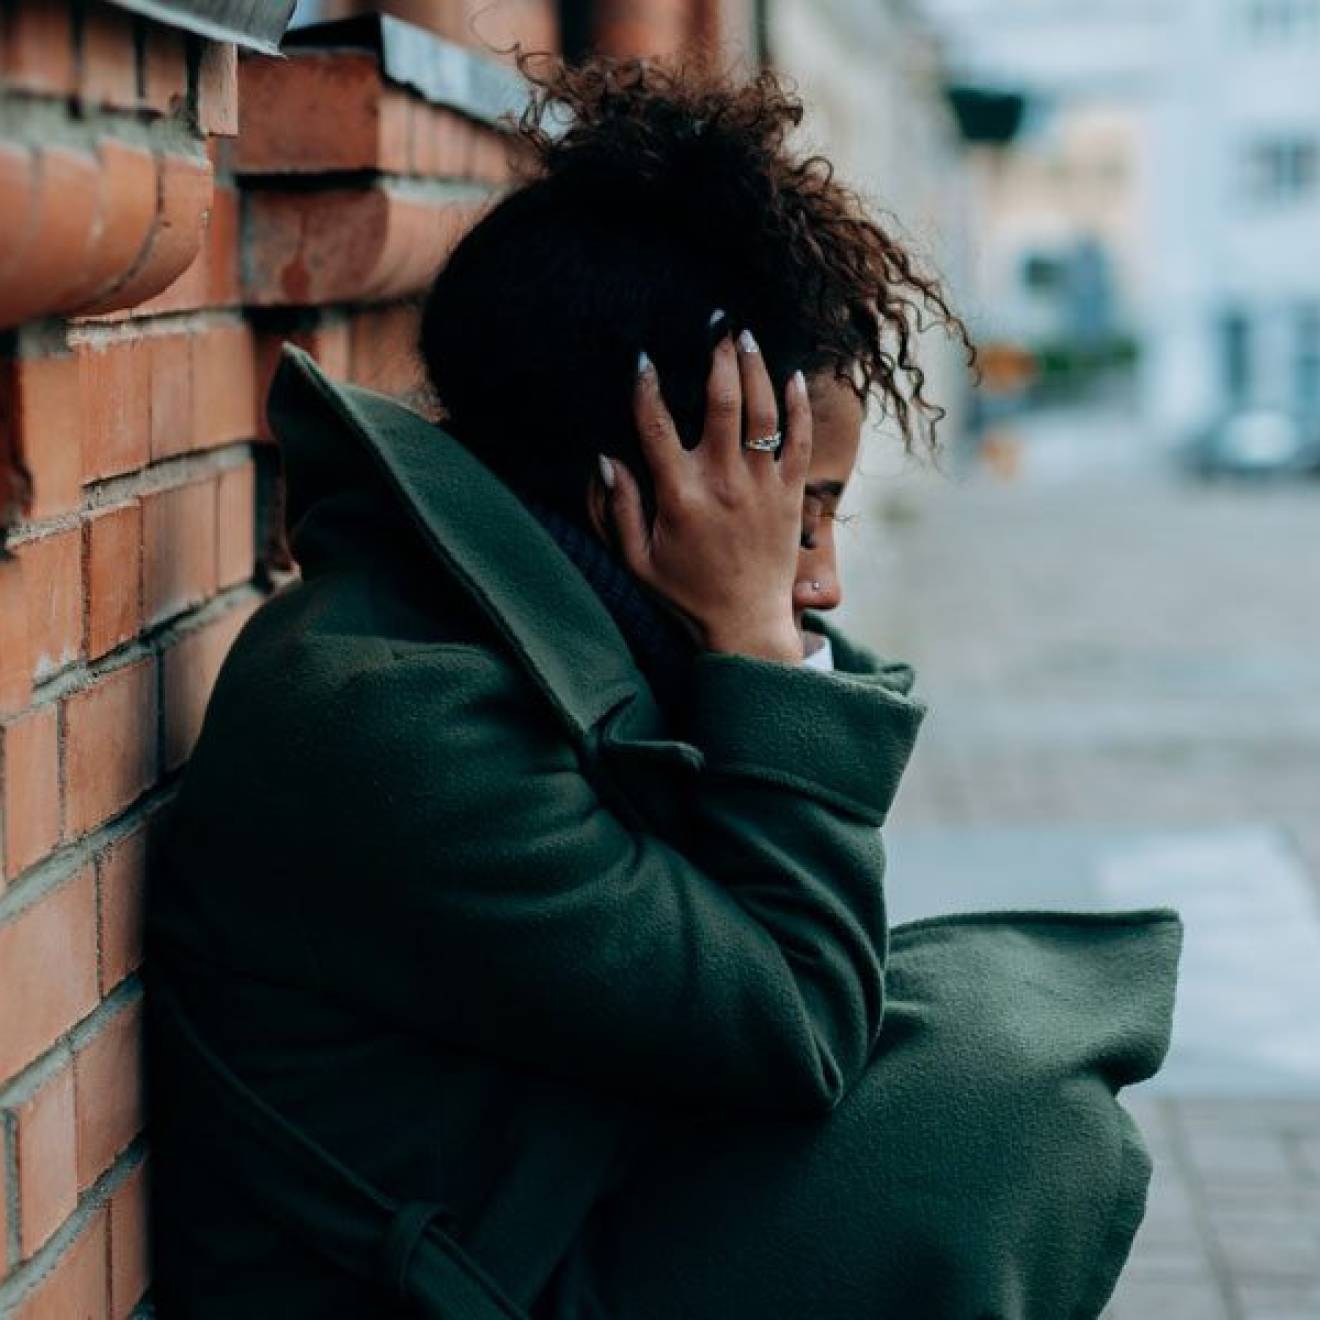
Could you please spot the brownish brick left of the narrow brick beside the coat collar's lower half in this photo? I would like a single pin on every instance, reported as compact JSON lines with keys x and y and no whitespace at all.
{"x":179,"y":550}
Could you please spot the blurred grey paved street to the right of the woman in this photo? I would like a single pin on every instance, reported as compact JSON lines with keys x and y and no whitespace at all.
{"x":1124,"y":674}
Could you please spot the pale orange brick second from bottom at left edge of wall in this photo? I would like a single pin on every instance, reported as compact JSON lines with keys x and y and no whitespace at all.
{"x":48,"y":1175}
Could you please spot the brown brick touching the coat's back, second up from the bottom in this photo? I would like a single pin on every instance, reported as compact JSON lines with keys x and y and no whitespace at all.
{"x":109,"y":1094}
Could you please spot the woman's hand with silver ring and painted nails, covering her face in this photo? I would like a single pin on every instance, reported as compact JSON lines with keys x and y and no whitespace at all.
{"x":724,"y":546}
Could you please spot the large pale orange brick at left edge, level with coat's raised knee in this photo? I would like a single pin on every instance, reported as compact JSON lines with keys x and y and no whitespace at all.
{"x":49,"y":959}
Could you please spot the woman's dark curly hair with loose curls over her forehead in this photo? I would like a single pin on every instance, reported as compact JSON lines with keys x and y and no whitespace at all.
{"x":650,"y":196}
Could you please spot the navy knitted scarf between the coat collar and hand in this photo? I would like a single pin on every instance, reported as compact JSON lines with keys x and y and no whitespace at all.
{"x":662,"y":649}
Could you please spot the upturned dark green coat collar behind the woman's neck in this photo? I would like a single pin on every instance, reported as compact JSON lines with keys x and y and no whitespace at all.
{"x":482,"y":534}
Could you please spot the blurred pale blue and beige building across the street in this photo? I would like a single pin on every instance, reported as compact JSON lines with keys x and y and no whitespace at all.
{"x":1168,"y":183}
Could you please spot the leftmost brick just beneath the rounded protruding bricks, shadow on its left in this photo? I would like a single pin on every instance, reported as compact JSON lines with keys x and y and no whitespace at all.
{"x":40,"y":409}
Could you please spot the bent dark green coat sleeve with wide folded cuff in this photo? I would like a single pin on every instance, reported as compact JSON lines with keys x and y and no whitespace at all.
{"x":502,"y":907}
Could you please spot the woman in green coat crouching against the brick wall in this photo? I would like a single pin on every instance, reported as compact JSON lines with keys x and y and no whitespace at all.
{"x":518,"y":946}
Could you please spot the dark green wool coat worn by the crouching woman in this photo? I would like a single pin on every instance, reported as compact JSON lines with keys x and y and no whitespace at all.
{"x":447,"y":893}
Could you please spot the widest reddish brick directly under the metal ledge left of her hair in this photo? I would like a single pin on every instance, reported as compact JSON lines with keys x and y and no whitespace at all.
{"x":313,"y":113}
